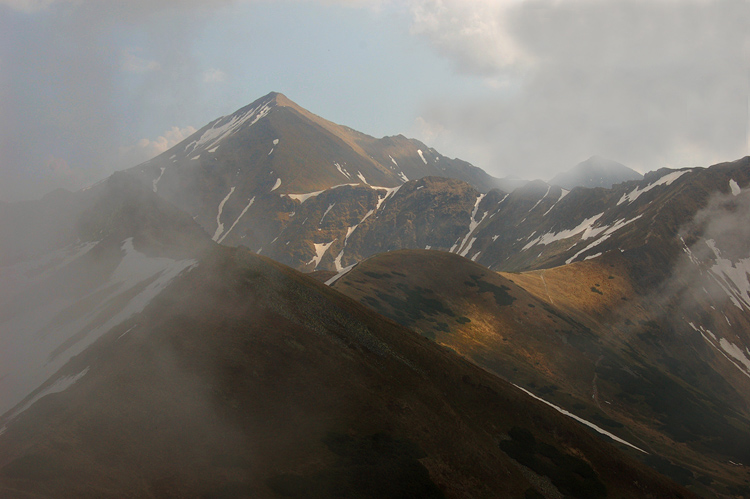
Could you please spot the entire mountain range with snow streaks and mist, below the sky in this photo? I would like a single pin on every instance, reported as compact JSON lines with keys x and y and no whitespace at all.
{"x":472,"y":341}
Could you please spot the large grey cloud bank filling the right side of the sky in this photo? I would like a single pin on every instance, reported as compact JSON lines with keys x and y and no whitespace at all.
{"x":650,"y":84}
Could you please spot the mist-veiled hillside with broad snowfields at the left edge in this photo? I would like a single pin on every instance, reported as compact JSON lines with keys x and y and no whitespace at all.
{"x":109,"y":251}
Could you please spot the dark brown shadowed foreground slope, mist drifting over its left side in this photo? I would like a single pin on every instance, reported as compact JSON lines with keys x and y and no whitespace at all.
{"x":247,"y":379}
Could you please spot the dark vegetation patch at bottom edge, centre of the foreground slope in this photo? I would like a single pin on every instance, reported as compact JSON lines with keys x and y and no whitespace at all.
{"x":367,"y":467}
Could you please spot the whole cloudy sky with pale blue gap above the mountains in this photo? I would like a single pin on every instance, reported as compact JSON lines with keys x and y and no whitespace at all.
{"x":522,"y":88}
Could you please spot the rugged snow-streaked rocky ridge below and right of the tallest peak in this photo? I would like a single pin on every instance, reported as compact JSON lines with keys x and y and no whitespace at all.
{"x":536,"y":226}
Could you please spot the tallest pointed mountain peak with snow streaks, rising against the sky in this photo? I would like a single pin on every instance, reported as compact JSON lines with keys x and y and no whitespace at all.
{"x":239,"y":175}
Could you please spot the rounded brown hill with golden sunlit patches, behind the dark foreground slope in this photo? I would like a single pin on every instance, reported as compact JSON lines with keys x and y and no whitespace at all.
{"x":581,"y":336}
